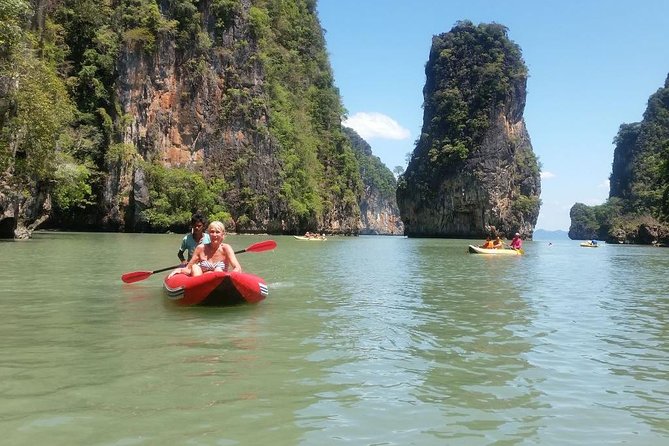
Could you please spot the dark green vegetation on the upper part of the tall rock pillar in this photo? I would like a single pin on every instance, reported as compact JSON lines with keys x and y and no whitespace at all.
{"x":471,"y":72}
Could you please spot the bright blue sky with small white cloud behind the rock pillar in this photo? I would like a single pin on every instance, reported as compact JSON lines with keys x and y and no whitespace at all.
{"x":592,"y":67}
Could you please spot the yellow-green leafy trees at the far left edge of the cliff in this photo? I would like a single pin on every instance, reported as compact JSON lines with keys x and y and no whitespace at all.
{"x":35,"y":110}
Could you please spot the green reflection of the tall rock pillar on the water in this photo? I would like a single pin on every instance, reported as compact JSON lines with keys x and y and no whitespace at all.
{"x":472,"y":316}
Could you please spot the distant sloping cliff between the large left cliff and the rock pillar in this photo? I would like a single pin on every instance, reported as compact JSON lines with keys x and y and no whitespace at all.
{"x":378,"y":206}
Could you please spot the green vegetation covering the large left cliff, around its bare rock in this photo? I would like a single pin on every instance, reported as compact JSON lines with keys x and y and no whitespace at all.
{"x":63,"y":126}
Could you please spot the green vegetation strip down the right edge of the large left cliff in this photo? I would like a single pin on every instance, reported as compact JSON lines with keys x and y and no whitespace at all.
{"x":319,"y":168}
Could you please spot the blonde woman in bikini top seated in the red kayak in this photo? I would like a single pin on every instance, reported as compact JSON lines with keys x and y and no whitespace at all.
{"x":216,"y":256}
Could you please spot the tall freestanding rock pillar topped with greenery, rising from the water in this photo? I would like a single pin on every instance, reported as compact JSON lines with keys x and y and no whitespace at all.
{"x":473,"y":171}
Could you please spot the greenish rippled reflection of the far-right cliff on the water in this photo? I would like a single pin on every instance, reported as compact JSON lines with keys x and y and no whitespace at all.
{"x":636,"y":346}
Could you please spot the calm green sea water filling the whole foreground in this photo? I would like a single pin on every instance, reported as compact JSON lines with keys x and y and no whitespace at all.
{"x":364,"y":341}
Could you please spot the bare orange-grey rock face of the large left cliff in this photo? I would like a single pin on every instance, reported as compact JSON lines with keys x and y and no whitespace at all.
{"x":183,"y":111}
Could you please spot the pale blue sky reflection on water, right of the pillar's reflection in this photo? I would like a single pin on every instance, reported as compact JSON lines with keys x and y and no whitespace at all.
{"x":582,"y":300}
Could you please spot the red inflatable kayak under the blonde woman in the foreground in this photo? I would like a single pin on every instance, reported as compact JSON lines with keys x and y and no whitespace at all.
{"x":216,"y":288}
